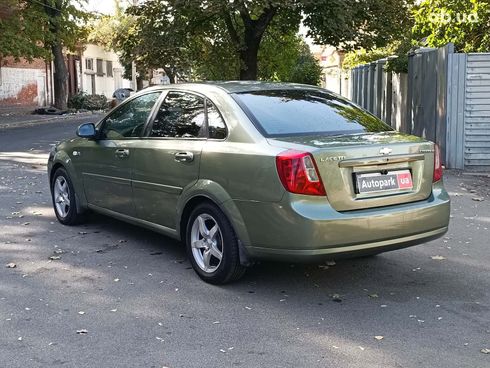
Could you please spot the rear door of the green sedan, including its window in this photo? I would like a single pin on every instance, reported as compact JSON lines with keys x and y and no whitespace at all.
{"x":168,"y":160}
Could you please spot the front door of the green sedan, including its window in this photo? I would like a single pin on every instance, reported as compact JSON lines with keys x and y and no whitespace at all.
{"x":105,"y":163}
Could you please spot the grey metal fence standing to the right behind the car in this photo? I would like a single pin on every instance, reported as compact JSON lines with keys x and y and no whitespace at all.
{"x":445,"y":97}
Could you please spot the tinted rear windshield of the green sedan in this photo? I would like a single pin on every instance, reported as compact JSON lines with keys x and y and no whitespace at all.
{"x":293,"y":112}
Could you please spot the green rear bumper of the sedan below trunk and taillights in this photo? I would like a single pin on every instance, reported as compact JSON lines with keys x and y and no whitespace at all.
{"x":304,"y":228}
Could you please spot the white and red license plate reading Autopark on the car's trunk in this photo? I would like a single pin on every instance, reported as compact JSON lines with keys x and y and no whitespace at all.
{"x":377,"y":182}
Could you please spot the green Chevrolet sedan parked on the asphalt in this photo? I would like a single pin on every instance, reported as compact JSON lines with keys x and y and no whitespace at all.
{"x":243,"y":171}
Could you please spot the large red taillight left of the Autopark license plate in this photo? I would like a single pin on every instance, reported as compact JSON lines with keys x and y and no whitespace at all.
{"x":298,"y":173}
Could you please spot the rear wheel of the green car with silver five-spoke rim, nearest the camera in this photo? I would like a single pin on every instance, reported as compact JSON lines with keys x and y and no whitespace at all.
{"x":212,"y":245}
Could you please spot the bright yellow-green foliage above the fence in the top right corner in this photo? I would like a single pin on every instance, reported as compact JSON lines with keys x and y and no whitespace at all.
{"x":462,"y":22}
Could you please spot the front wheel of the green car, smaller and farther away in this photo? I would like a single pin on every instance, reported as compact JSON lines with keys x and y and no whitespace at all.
{"x":64,"y":199}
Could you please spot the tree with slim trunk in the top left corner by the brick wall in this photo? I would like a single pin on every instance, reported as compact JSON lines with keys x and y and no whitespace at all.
{"x":46,"y":29}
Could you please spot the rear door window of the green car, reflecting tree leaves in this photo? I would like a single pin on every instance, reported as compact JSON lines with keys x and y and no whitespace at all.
{"x":181,"y":115}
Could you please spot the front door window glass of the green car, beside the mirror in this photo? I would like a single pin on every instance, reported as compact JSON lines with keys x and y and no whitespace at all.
{"x":129,"y":120}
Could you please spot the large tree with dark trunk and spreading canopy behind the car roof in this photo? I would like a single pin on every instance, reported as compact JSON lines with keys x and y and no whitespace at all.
{"x":173,"y":30}
